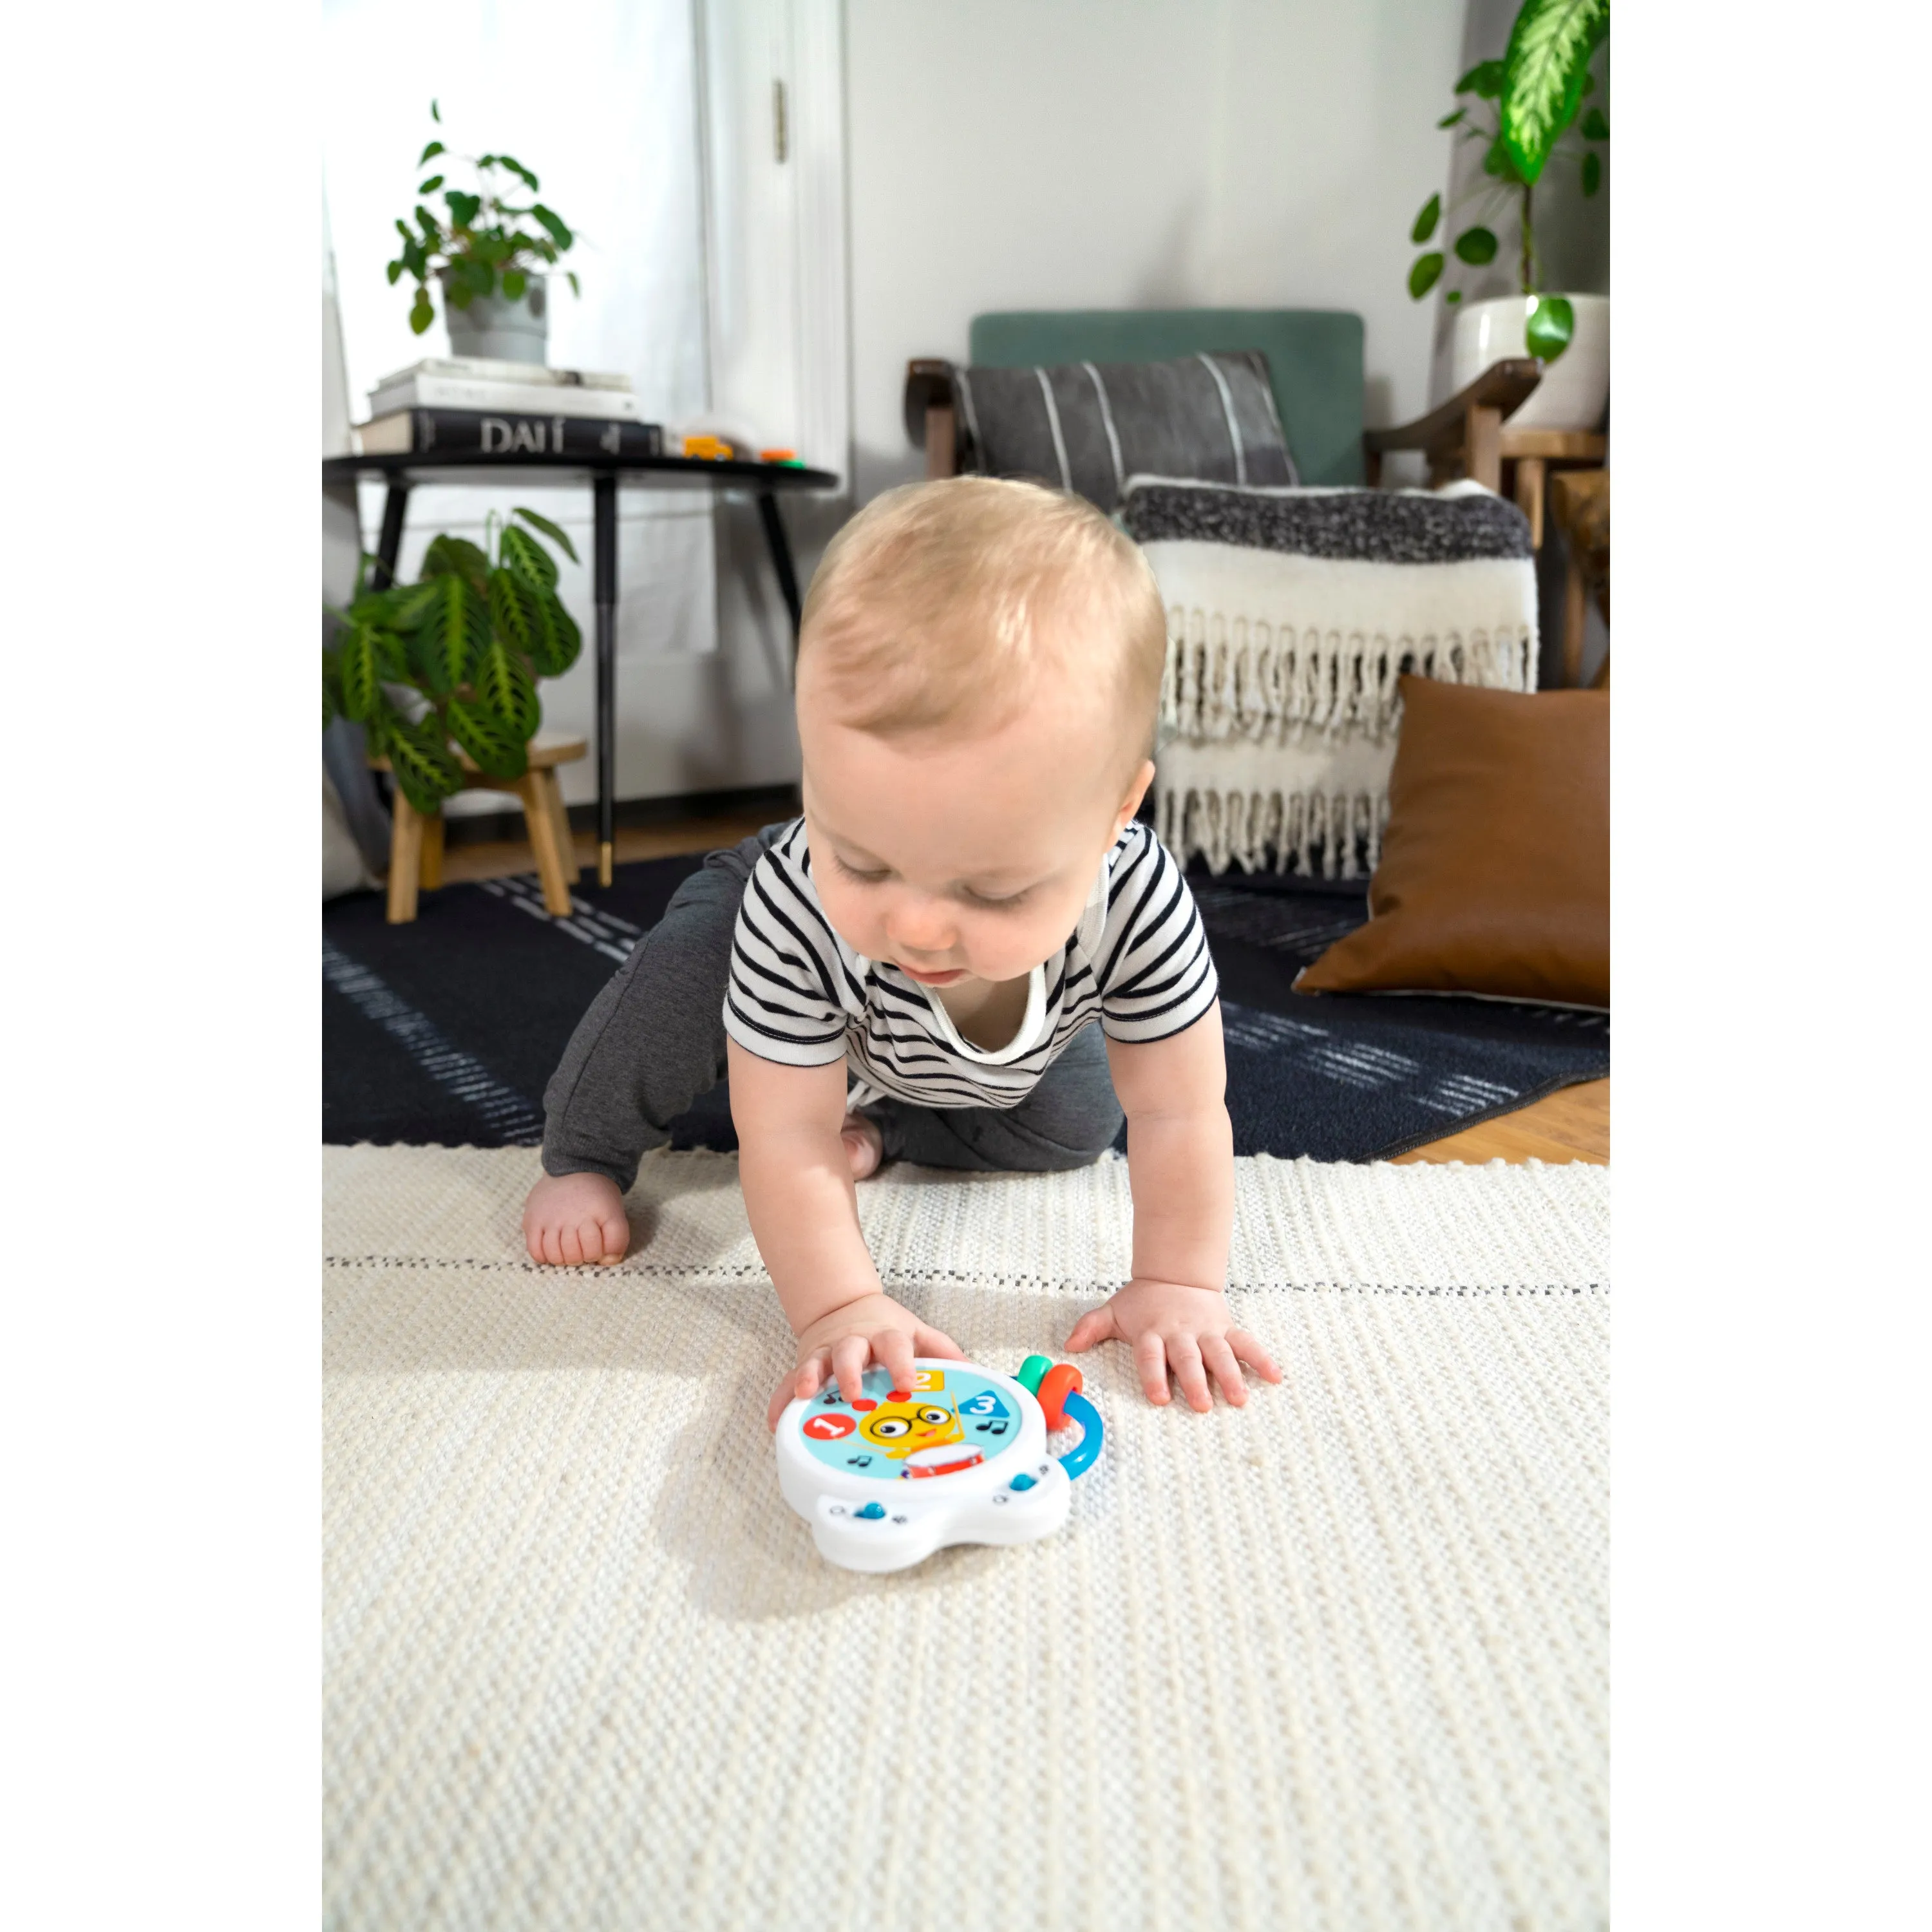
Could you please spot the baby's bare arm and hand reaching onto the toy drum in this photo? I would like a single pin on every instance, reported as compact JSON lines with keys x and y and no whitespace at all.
{"x":799,"y":1195}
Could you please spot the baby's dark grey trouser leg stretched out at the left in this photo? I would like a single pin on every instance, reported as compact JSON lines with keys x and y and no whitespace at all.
{"x":654,"y":1038}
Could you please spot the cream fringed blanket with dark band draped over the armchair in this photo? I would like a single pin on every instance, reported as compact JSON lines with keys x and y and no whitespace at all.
{"x":1292,"y":615}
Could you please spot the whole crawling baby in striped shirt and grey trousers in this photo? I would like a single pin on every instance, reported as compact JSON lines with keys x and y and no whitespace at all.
{"x":911,"y":971}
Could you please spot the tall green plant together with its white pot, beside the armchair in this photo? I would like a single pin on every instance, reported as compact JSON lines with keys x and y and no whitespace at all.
{"x":1525,"y":111}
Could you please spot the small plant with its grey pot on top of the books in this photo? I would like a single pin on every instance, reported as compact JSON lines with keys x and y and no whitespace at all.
{"x":488,"y":262}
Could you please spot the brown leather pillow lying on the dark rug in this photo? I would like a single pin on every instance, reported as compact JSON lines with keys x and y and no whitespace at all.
{"x":1494,"y":870}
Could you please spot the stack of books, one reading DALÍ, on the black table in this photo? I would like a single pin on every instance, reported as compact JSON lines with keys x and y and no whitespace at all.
{"x":469,"y":409}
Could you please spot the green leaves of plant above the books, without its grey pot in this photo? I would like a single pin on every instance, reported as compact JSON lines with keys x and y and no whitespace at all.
{"x":480,"y":244}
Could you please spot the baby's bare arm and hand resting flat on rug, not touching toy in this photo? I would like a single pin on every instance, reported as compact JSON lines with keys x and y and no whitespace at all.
{"x":1181,"y":1172}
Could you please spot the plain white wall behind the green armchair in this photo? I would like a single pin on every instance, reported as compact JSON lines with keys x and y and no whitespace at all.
{"x":1137,"y":154}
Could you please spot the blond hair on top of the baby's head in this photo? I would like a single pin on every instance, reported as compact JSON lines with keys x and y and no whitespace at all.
{"x":942,"y":604}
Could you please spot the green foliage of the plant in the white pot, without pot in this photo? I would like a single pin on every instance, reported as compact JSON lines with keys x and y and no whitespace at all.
{"x":1523,"y":109}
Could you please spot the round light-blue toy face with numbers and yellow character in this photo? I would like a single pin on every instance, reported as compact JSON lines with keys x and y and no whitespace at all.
{"x":950,"y":1421}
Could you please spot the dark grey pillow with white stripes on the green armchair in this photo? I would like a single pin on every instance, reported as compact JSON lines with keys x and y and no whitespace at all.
{"x":1089,"y":428}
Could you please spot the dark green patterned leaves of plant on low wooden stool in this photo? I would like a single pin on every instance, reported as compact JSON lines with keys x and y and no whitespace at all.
{"x":455,"y":658}
